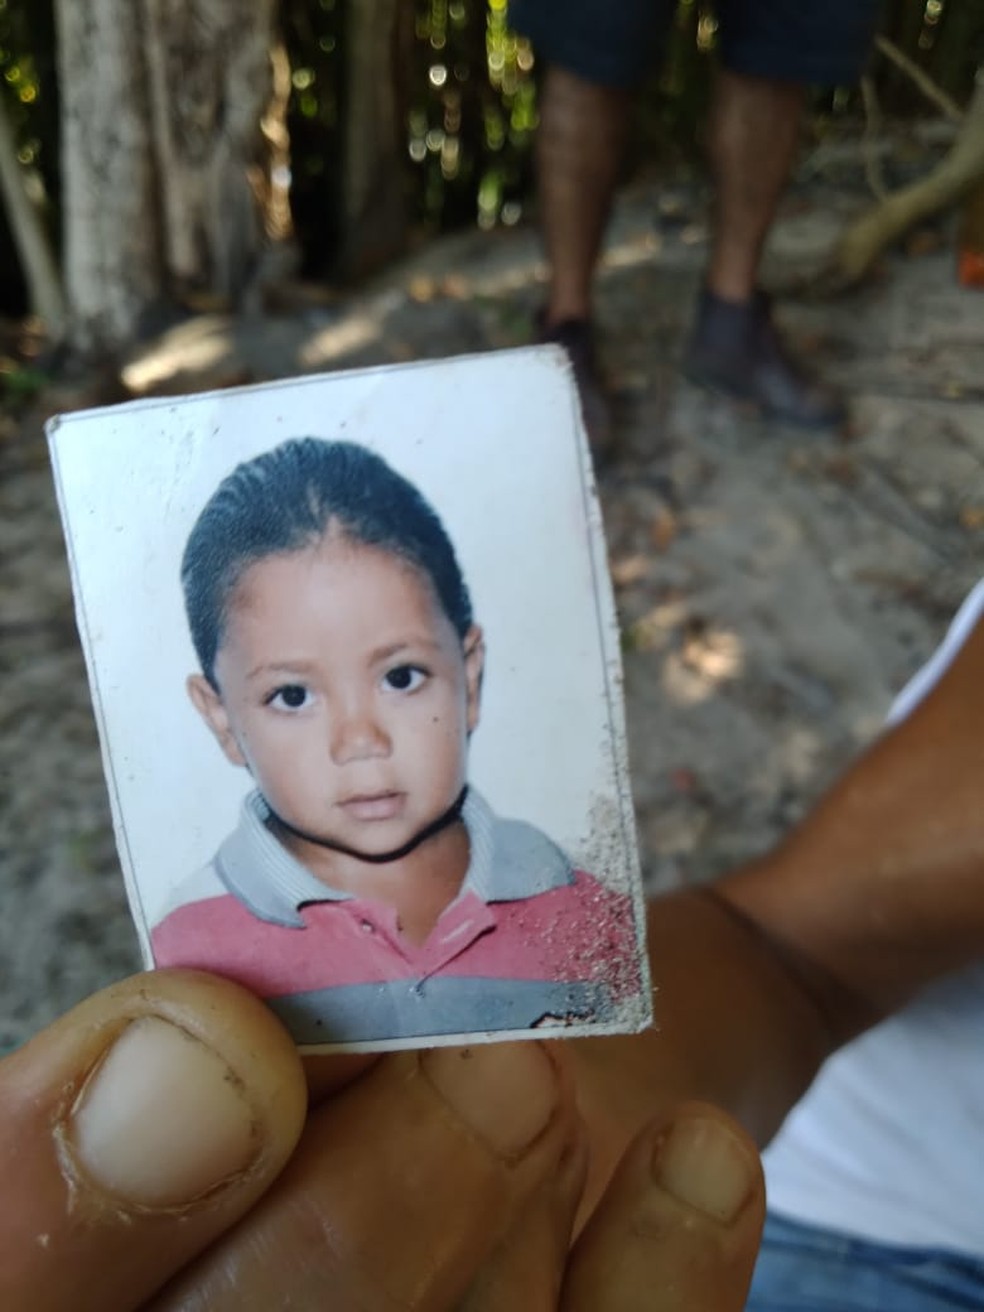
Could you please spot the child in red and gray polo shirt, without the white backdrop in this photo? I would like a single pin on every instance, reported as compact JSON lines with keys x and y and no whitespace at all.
{"x":368,"y":892}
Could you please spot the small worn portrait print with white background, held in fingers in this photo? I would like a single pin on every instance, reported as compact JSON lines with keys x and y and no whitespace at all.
{"x":355,"y":665}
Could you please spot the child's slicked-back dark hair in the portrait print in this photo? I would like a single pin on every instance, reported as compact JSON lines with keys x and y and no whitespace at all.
{"x":287,"y":501}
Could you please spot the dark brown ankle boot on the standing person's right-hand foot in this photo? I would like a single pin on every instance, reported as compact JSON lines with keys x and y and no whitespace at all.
{"x":737,"y":350}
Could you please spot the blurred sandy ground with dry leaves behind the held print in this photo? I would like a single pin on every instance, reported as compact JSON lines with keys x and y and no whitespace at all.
{"x":776,"y":590}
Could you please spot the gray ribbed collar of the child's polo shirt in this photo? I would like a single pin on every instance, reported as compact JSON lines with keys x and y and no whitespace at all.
{"x":510,"y":863}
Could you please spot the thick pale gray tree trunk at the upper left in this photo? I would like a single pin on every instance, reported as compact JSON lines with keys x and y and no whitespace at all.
{"x":162,"y":152}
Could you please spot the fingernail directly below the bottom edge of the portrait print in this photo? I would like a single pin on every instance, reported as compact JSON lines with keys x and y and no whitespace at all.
{"x":506,"y":1092}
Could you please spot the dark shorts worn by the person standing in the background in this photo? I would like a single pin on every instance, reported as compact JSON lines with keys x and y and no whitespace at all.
{"x":616,"y":43}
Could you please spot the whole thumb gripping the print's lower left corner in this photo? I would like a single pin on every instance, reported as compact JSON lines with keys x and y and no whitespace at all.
{"x":133,"y":1133}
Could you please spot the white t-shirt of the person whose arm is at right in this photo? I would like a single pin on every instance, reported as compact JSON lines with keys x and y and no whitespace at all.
{"x":889,"y":1143}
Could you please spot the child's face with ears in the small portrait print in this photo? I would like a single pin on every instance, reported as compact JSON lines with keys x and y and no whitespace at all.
{"x":347,"y":693}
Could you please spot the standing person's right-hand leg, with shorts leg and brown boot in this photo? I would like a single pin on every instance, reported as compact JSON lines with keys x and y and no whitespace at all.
{"x":772,"y":52}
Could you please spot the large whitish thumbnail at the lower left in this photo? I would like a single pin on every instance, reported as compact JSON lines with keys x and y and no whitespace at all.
{"x":162,"y":1120}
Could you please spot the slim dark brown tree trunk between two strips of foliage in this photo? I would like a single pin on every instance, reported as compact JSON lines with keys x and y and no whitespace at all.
{"x":375,"y":222}
